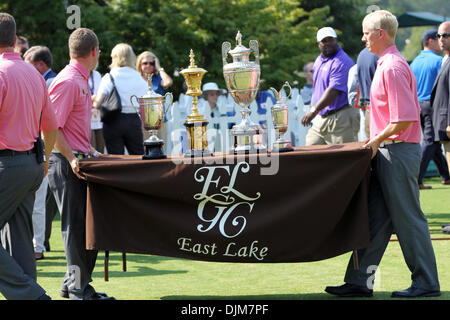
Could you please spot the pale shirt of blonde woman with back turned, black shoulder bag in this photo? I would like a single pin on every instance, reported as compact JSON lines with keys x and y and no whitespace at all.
{"x":128,"y":83}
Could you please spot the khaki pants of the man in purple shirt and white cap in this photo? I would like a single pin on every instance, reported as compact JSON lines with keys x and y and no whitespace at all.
{"x":340,"y":127}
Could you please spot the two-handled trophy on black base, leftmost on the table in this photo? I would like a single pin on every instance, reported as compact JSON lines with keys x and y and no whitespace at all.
{"x":151,"y":112}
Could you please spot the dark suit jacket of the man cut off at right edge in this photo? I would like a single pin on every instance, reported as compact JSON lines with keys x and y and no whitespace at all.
{"x":440,"y":102}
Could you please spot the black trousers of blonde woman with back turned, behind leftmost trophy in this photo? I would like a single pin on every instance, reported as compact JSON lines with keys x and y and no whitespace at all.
{"x":125,"y":131}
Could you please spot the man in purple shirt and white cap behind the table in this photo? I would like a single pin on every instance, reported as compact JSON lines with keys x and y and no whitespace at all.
{"x":338,"y":121}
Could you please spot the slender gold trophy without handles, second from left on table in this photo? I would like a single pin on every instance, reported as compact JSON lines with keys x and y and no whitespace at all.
{"x":196,"y":124}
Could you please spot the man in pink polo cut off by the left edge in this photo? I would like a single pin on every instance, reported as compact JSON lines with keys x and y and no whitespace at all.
{"x":24,"y":102}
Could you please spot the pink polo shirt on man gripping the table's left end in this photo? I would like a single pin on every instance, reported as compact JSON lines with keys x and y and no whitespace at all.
{"x":71,"y":98}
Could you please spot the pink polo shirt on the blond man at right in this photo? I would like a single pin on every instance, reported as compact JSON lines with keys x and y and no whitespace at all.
{"x":393,"y":97}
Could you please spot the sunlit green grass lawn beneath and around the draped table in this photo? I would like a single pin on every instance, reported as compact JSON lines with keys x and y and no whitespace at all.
{"x":165,"y":278}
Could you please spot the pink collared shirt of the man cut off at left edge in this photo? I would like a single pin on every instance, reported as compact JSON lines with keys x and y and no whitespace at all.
{"x":23,"y":96}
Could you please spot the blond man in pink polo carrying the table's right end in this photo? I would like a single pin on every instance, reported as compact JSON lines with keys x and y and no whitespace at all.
{"x":394,"y":192}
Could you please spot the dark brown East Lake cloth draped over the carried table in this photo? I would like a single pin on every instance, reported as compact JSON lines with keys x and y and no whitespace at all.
{"x":305,"y":205}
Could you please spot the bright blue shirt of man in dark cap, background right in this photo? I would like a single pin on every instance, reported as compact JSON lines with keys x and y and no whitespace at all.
{"x":426,"y":67}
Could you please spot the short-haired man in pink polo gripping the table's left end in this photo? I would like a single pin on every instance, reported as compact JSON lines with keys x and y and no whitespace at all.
{"x":71,"y":99}
